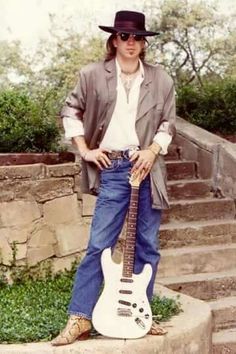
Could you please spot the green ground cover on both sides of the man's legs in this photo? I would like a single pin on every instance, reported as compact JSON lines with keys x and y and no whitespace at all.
{"x":36,"y":309}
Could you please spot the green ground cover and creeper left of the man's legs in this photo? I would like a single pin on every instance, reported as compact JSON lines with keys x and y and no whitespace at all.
{"x":34,"y":307}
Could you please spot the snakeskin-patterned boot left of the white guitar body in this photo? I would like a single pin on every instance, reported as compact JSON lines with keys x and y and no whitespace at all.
{"x":77,"y":328}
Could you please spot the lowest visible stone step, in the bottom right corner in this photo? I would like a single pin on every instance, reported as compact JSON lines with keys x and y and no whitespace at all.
{"x":224,"y":342}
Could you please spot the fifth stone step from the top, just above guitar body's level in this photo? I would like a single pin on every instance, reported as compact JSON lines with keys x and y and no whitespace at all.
{"x":197,"y":233}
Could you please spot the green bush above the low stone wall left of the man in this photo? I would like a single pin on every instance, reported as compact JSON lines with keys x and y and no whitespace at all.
{"x":26,"y":124}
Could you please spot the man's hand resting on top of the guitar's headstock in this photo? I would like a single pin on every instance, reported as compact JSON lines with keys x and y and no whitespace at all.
{"x":143,"y":162}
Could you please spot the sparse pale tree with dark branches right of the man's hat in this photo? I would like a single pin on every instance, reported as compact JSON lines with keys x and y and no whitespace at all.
{"x":196,"y":39}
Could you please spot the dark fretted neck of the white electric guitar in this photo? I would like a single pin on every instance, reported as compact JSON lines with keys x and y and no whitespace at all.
{"x":130,"y":241}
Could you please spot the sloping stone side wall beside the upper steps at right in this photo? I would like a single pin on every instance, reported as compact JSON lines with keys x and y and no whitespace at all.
{"x":216,"y":156}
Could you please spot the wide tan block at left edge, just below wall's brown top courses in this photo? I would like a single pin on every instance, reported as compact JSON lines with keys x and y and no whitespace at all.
{"x":18,"y":213}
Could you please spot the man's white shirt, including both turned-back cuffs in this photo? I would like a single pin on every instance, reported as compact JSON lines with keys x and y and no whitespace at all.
{"x":121,"y":133}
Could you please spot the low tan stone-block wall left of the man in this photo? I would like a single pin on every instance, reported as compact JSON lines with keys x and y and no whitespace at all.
{"x":44,"y":212}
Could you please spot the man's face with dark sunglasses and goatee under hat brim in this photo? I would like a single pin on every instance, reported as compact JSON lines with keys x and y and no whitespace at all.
{"x":128,"y":46}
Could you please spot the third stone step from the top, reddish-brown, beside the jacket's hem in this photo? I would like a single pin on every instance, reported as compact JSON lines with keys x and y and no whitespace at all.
{"x":188,"y":189}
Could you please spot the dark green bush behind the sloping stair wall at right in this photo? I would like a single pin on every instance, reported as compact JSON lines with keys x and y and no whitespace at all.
{"x":212,"y":107}
